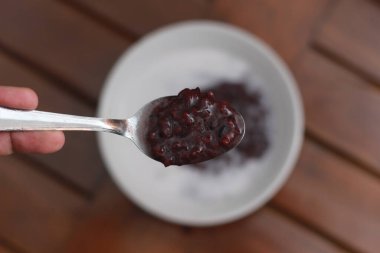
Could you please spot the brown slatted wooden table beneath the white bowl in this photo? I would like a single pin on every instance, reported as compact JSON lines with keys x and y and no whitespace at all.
{"x":66,"y":202}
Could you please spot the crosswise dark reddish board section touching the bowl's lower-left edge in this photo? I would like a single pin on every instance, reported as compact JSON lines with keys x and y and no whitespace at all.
{"x":115,"y":225}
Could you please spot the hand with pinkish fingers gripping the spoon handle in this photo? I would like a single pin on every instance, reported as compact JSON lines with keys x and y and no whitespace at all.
{"x":26,"y":142}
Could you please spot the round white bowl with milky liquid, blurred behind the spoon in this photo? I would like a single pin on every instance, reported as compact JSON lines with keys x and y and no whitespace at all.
{"x":192,"y":54}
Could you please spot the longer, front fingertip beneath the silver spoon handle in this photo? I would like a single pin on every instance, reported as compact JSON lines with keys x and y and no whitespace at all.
{"x":37,"y":142}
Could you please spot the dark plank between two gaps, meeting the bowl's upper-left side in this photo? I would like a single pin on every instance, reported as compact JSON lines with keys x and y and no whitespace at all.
{"x":60,"y":40}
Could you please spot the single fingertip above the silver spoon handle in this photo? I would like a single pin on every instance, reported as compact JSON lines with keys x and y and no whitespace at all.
{"x":19,"y":98}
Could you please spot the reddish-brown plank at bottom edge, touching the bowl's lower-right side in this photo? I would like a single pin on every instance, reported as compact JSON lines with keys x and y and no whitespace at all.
{"x":266,"y":231}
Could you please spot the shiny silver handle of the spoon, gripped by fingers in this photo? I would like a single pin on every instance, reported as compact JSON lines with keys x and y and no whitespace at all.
{"x":22,"y":120}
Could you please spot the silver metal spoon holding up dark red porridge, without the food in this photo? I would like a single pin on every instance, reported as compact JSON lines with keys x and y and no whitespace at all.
{"x":134,"y":128}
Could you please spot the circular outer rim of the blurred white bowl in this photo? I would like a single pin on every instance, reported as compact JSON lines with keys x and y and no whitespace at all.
{"x":297,"y":107}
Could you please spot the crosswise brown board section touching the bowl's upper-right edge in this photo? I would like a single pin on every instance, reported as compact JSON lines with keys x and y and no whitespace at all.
{"x":285,"y":25}
